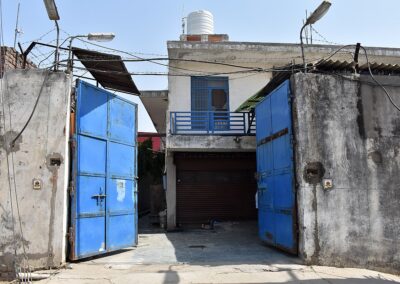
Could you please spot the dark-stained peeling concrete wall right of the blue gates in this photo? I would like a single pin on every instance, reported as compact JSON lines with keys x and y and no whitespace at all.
{"x":349,"y":127}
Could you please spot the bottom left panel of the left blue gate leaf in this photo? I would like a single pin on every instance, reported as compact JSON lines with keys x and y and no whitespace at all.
{"x":90,"y":236}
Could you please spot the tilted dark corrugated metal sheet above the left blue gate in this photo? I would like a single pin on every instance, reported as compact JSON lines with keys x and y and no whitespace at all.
{"x":108,"y":69}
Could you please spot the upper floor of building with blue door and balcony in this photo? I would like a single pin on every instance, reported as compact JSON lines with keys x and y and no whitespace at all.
{"x":208,"y":81}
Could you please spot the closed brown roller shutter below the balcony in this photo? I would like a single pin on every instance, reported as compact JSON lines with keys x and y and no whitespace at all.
{"x":215,"y":186}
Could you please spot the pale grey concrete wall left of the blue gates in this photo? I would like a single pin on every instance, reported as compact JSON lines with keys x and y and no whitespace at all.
{"x":40,"y":154}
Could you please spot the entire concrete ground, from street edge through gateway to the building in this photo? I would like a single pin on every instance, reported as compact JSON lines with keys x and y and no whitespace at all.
{"x":231,"y":253}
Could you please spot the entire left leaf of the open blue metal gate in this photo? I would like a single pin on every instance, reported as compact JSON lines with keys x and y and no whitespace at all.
{"x":104,"y":199}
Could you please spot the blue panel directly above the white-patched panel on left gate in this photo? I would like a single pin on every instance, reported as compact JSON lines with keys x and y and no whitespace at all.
{"x":121,"y":160}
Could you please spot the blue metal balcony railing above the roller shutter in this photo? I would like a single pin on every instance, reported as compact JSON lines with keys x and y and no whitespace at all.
{"x":212,"y":123}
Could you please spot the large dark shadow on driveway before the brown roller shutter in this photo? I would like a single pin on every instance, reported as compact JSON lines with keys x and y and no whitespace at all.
{"x":228,"y":243}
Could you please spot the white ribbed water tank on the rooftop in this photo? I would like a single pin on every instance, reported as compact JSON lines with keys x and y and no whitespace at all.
{"x":200,"y":23}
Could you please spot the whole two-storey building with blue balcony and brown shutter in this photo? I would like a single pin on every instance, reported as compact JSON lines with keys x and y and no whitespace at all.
{"x":208,"y":82}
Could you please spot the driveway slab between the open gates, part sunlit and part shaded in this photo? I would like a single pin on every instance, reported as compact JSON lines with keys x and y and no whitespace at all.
{"x":229,"y":243}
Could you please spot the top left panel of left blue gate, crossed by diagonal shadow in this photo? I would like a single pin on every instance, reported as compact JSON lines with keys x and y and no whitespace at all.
{"x":92,"y":118}
